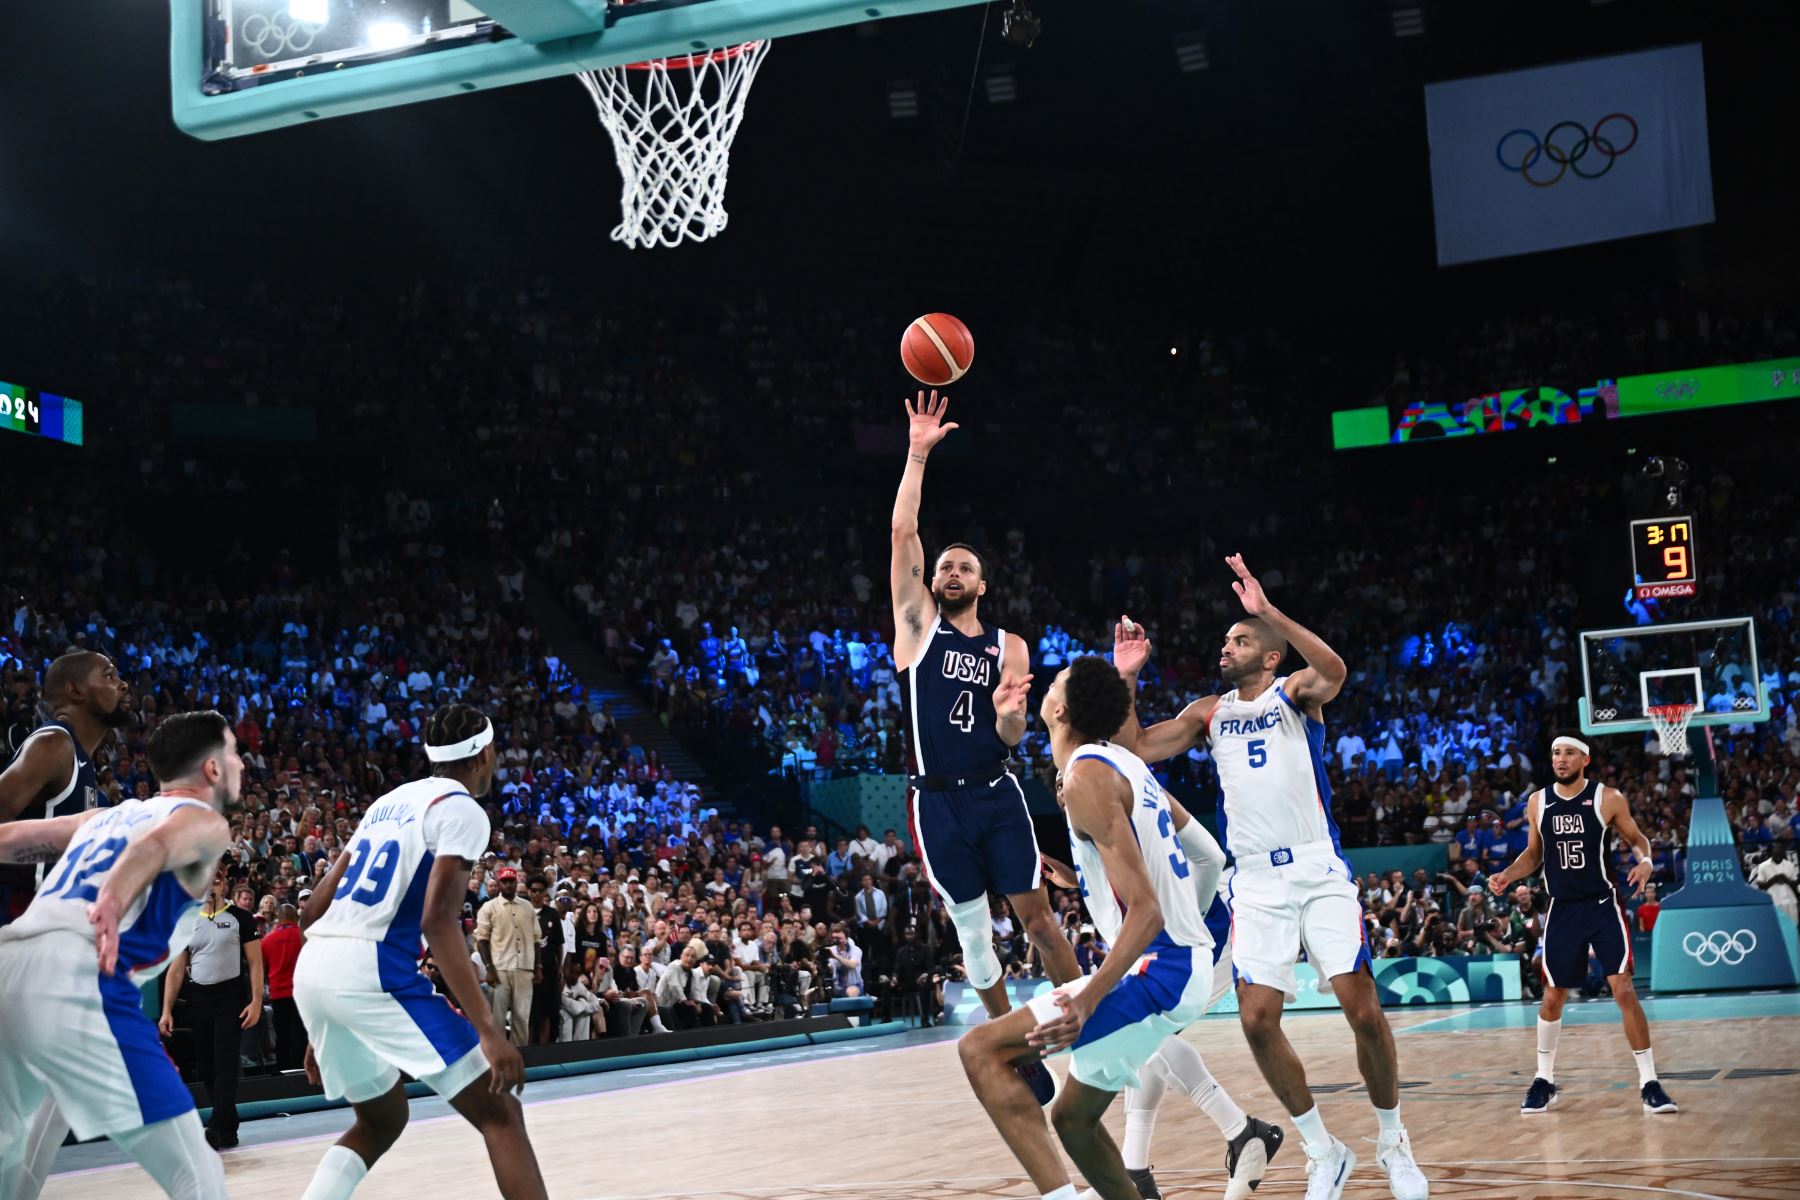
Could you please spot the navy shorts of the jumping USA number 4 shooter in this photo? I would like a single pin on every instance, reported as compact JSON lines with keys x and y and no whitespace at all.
{"x":976,"y":841}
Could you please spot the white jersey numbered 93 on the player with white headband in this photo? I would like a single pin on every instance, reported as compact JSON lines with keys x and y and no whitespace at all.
{"x":382,"y":893}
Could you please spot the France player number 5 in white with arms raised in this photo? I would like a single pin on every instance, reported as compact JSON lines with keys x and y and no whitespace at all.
{"x":1293,"y":888}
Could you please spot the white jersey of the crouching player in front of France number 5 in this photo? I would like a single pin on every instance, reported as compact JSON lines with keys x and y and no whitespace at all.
{"x":1155,"y":827}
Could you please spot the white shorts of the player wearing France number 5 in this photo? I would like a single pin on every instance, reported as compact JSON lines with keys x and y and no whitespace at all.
{"x":1300,"y":900}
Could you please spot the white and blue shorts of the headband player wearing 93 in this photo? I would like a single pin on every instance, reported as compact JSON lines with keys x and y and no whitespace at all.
{"x":372,"y":1016}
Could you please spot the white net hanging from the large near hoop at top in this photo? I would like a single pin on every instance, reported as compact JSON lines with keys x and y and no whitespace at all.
{"x":672,"y":125}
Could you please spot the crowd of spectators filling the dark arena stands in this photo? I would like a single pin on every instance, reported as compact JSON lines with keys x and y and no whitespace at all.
{"x":672,"y":499}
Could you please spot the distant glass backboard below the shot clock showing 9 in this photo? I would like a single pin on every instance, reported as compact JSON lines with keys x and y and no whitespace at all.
{"x":1711,"y":665}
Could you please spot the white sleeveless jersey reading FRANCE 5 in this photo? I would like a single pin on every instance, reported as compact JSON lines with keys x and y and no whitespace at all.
{"x":1272,"y":771}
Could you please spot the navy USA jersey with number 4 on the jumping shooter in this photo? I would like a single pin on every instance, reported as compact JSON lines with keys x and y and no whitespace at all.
{"x":948,"y":699}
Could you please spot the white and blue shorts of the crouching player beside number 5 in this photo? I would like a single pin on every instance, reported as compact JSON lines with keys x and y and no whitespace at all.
{"x":1165,"y":992}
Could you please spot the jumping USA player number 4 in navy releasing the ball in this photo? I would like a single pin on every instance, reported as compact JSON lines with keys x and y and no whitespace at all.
{"x":964,"y":692}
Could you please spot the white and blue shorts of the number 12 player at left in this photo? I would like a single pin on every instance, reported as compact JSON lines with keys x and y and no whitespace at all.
{"x":82,"y":1039}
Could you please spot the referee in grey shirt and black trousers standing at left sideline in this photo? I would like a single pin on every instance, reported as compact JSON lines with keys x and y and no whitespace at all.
{"x":220,"y":985}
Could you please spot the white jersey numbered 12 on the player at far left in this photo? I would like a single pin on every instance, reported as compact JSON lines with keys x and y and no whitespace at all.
{"x":163,"y":917}
